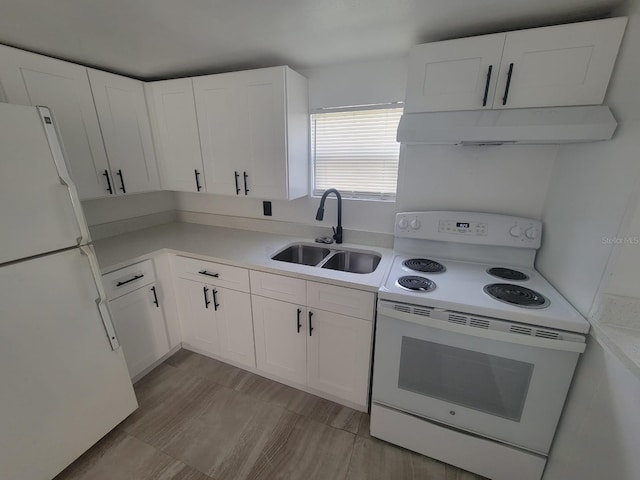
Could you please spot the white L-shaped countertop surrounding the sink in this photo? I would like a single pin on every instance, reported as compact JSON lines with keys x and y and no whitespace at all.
{"x":242,"y":248}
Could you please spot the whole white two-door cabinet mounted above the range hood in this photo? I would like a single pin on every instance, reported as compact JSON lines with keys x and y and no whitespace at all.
{"x":550,"y":66}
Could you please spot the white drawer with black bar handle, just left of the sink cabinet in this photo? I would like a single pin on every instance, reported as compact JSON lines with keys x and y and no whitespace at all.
{"x":213,"y":273}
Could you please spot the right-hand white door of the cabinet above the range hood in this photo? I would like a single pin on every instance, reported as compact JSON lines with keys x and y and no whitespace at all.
{"x":559,"y":65}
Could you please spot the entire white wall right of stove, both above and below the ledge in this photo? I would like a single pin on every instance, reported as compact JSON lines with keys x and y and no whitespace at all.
{"x":593,"y":197}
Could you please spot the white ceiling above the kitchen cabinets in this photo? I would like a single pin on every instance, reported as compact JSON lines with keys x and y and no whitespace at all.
{"x":153,"y":39}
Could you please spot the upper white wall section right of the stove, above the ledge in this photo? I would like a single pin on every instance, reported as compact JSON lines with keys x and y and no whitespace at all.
{"x":593,"y":187}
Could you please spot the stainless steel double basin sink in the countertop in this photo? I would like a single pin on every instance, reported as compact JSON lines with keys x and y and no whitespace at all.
{"x":342,"y":260}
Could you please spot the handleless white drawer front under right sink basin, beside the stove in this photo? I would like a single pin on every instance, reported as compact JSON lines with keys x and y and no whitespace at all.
{"x":345,"y":301}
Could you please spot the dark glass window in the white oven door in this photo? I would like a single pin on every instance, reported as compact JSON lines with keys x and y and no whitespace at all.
{"x":483,"y":382}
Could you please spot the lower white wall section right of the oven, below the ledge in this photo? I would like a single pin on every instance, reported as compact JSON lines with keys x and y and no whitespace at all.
{"x":599,"y":433}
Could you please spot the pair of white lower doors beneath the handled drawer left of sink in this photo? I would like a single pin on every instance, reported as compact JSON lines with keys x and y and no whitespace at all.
{"x":216,"y":320}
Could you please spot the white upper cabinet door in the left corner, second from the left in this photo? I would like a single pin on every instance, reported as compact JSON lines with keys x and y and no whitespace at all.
{"x":122,"y":111}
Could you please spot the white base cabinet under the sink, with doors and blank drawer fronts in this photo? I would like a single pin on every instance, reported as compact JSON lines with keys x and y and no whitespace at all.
{"x":308,"y":340}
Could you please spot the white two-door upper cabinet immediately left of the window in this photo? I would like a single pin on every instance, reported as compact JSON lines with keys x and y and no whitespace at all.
{"x":254,"y":132}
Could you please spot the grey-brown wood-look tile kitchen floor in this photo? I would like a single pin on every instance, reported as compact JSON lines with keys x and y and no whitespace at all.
{"x":200,"y":419}
